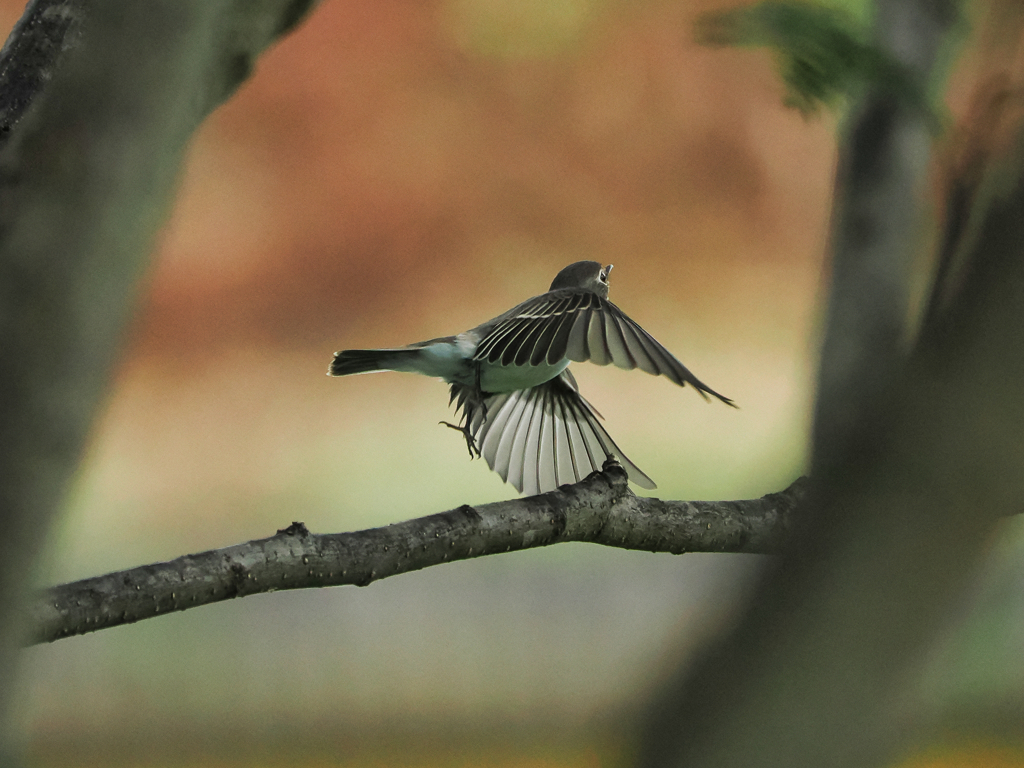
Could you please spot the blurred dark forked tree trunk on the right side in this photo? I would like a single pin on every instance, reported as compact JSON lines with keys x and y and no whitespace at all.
{"x":917,"y":456}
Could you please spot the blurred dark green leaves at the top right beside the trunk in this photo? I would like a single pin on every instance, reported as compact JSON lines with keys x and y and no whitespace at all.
{"x":825,"y":54}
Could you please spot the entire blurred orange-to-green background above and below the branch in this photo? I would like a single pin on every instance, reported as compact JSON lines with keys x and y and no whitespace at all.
{"x":397,"y":172}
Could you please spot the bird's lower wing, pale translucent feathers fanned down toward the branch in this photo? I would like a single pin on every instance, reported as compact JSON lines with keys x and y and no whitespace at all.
{"x":543,"y":438}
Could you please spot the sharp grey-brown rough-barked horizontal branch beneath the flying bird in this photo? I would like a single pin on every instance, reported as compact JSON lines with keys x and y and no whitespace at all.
{"x":601,"y":509}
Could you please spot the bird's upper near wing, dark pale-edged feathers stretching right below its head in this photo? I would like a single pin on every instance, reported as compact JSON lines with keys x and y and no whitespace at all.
{"x":581,"y":326}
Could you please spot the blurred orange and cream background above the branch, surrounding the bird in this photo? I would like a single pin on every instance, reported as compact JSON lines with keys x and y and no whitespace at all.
{"x":401,"y":172}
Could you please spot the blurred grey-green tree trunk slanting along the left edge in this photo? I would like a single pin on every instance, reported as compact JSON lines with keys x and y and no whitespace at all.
{"x":88,"y":177}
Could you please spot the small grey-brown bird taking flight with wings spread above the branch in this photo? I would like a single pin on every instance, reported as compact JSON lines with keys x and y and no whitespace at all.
{"x":521,"y":407}
